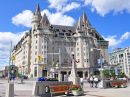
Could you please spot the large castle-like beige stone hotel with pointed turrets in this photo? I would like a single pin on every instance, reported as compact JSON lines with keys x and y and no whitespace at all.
{"x":44,"y":38}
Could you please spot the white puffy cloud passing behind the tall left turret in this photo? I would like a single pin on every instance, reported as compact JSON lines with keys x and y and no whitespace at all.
{"x":54,"y":18}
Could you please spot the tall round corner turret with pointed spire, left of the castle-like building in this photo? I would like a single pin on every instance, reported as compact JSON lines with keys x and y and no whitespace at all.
{"x":36,"y":17}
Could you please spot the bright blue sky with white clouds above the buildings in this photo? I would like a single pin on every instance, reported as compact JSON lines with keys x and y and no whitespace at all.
{"x":111,"y":18}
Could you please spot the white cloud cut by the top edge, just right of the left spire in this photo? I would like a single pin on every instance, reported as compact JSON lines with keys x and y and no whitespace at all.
{"x":57,"y":4}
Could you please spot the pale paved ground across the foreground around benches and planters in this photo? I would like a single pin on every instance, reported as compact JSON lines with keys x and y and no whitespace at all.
{"x":25,"y":90}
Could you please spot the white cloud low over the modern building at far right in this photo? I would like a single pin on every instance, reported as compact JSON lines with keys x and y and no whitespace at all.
{"x":113,"y":42}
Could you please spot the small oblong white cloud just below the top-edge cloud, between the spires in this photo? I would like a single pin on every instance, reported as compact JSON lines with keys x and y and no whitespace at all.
{"x":71,"y":6}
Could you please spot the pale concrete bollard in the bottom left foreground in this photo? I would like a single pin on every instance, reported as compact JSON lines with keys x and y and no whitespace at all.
{"x":10,"y":90}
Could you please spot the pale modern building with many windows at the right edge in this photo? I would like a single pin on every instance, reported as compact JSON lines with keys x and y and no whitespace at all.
{"x":121,"y":56}
